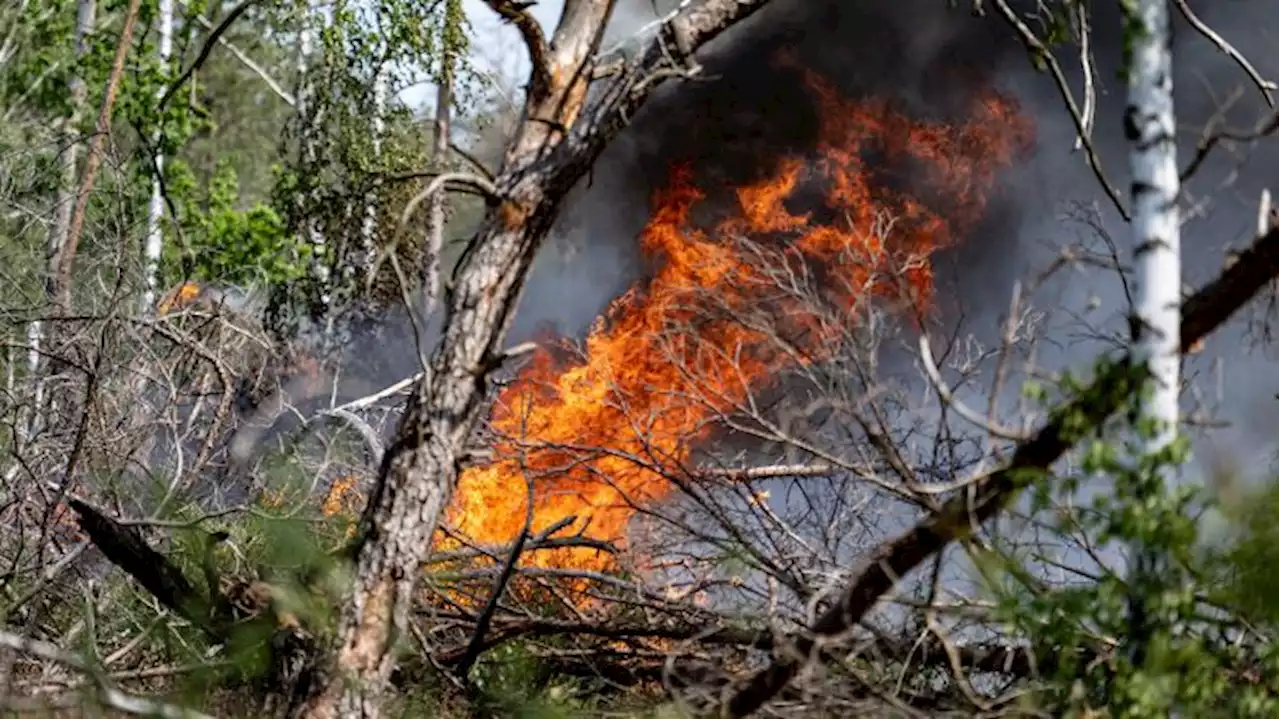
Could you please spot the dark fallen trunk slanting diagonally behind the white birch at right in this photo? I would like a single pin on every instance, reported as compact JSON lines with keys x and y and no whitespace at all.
{"x":961,"y":518}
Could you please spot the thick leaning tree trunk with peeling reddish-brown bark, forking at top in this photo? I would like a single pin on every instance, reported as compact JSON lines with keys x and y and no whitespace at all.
{"x":559,"y":140}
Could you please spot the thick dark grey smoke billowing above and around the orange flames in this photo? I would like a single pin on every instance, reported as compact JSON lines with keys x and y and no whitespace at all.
{"x":747,"y":112}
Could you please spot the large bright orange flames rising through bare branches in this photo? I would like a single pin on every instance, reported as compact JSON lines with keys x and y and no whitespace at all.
{"x":598,"y":433}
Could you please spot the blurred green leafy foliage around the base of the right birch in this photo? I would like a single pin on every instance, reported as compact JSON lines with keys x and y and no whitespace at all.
{"x":1148,"y":644}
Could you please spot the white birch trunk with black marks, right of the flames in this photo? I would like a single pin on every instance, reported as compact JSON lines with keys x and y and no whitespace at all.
{"x":1150,"y":127}
